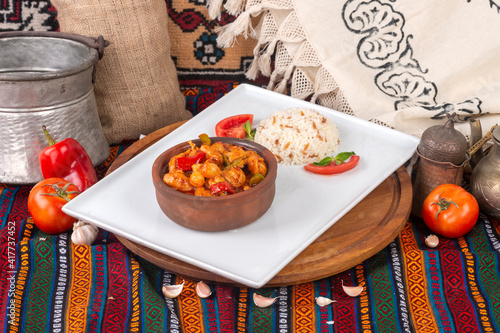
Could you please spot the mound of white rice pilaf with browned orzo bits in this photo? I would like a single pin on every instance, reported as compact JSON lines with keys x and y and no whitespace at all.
{"x":298,"y":136}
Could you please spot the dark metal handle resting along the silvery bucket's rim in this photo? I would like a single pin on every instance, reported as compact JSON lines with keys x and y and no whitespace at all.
{"x":98,"y":43}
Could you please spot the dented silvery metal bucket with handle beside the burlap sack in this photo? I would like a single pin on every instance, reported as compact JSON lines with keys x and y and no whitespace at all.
{"x":46,"y":78}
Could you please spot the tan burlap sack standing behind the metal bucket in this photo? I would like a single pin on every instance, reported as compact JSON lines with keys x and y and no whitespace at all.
{"x":137,"y":89}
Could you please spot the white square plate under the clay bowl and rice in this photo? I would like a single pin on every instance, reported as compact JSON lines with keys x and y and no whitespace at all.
{"x":304,"y":207}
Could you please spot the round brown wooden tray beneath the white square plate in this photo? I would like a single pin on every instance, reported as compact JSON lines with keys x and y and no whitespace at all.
{"x":366,"y":229}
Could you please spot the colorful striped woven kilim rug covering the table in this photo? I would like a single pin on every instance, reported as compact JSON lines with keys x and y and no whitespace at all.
{"x":47,"y":284}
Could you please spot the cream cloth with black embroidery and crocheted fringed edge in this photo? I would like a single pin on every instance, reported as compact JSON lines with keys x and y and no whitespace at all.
{"x":403,"y":64}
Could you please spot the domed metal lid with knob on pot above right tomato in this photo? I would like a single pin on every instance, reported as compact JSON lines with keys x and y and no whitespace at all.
{"x":443,"y":143}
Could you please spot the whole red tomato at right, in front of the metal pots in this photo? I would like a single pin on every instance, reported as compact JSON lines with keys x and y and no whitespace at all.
{"x":450,"y":211}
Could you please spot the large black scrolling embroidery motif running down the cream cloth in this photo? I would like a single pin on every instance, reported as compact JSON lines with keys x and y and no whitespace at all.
{"x":384,"y":47}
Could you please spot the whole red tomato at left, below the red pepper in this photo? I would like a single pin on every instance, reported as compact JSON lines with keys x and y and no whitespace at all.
{"x":45,"y":203}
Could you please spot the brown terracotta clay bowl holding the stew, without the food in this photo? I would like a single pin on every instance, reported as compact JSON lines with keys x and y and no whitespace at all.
{"x":215,"y":213}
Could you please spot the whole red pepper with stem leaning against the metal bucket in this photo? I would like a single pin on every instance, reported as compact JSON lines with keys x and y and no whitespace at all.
{"x":67,"y":159}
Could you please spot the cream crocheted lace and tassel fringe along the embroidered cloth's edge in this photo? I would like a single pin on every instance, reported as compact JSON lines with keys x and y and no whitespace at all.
{"x":287,"y":72}
